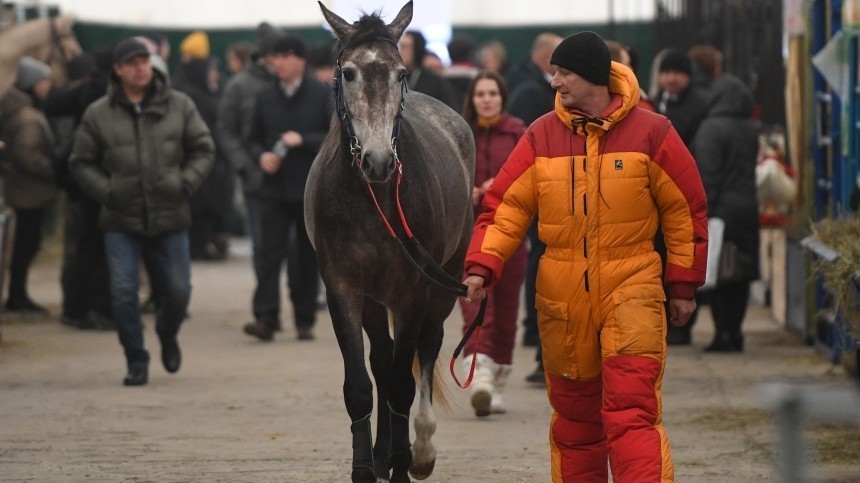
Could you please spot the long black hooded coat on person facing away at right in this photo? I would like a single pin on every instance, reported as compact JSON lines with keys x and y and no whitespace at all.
{"x":726,"y":150}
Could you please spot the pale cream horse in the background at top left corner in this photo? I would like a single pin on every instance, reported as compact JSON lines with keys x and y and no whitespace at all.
{"x":50,"y":40}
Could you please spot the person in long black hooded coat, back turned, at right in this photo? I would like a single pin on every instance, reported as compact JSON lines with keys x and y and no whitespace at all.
{"x":726,"y":149}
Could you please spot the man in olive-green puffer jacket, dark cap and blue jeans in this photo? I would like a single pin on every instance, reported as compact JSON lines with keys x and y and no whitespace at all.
{"x":141,"y":151}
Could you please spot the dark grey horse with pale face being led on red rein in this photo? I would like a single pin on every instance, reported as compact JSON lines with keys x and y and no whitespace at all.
{"x":356,"y":184}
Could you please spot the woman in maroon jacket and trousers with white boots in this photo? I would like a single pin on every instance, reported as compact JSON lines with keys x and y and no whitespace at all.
{"x":496,"y":133}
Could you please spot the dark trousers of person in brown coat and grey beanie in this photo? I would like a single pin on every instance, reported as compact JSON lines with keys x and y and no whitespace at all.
{"x":28,"y":241}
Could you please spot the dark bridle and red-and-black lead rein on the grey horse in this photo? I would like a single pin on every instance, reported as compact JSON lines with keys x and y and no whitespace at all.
{"x":447,"y":282}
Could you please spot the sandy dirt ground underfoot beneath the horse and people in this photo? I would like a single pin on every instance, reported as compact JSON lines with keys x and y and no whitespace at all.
{"x":245,"y":411}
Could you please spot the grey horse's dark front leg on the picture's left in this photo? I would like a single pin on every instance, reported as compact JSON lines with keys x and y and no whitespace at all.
{"x":357,"y":389}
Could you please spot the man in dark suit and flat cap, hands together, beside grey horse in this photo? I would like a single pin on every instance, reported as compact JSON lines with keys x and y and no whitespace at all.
{"x":290,"y":123}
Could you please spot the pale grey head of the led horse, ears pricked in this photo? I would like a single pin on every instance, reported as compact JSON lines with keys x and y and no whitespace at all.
{"x":370,"y":81}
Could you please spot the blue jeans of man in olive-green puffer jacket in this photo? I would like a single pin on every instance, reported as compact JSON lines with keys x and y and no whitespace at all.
{"x":169,"y":266}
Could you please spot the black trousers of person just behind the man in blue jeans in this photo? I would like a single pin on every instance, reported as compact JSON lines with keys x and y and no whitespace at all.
{"x":84,"y":277}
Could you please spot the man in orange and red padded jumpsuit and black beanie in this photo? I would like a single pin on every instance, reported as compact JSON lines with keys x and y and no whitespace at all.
{"x":603,"y":174}
